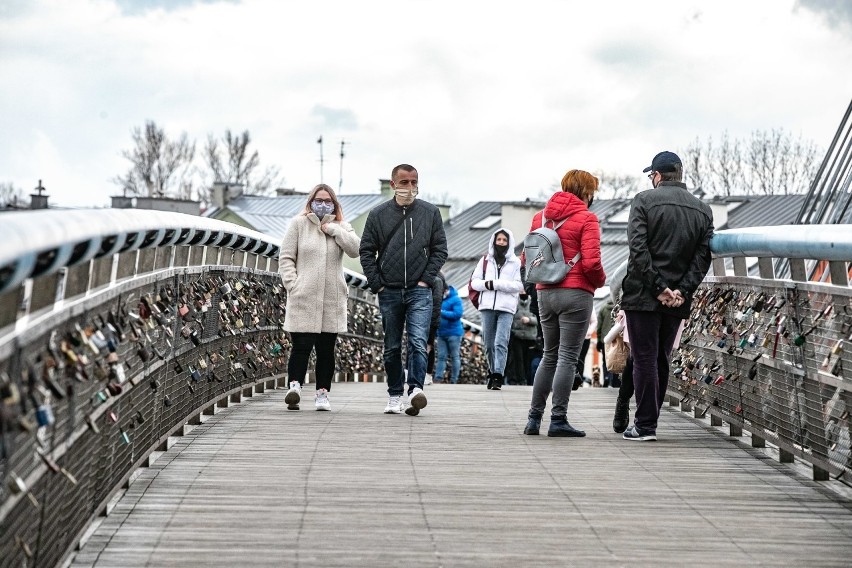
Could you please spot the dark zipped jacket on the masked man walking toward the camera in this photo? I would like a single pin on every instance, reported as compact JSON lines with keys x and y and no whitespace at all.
{"x":417,"y":250}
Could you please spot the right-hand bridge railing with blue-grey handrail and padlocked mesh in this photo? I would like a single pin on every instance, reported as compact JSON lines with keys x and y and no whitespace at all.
{"x":770,"y":353}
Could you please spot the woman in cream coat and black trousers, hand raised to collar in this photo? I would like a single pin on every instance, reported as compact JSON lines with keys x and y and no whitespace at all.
{"x":311,"y":267}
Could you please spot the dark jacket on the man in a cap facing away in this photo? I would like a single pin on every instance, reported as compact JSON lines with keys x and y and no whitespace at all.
{"x":669,"y":232}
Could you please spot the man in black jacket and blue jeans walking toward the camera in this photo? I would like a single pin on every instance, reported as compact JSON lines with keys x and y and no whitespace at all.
{"x":403,"y":248}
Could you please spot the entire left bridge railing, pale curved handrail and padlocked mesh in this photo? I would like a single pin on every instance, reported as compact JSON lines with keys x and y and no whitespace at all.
{"x":118,"y":329}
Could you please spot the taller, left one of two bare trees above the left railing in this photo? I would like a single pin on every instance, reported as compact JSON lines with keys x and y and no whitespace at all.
{"x":160,"y":167}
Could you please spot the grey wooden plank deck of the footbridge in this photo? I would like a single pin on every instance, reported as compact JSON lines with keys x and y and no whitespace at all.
{"x":460,"y":485}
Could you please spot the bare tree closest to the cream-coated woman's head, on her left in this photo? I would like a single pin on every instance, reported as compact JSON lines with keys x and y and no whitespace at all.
{"x":229,"y":160}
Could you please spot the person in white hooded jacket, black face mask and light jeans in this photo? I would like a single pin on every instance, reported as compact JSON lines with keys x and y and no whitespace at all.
{"x":497,"y":277}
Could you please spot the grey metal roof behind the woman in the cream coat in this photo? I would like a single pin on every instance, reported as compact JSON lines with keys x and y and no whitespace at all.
{"x":271,"y":215}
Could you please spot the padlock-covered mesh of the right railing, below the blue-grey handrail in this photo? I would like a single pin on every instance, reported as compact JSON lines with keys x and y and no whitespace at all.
{"x":772,"y":358}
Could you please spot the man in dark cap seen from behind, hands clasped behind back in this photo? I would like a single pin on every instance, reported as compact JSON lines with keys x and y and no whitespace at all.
{"x":669,"y":232}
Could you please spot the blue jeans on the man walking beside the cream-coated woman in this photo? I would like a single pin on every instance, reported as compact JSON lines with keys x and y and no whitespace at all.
{"x":409,"y":309}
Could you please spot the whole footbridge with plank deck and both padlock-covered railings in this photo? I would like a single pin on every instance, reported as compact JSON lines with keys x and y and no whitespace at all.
{"x":142,"y":423}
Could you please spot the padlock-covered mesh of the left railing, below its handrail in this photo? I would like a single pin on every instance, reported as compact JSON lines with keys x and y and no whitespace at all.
{"x":85,"y":402}
